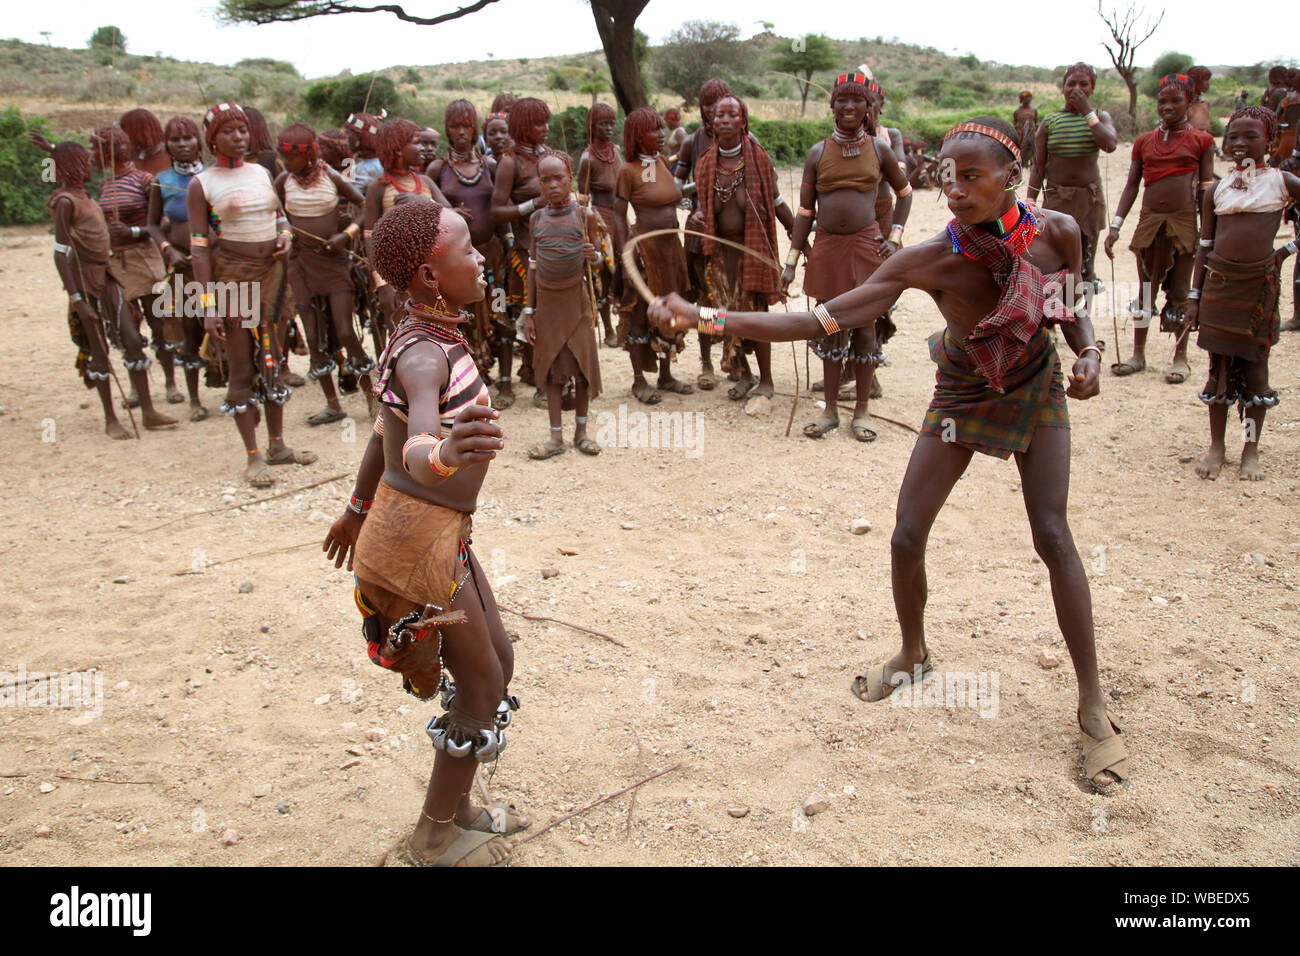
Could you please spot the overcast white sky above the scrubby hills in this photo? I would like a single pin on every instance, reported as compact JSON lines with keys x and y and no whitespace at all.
{"x":1046,"y":33}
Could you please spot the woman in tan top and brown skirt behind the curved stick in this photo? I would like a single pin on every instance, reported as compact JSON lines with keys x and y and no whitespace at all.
{"x":647,"y":184}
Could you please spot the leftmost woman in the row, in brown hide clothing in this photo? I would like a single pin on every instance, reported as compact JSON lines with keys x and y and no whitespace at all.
{"x":97,"y":308}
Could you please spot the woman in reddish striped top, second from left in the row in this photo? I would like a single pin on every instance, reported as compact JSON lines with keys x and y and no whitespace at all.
{"x":136,"y":263}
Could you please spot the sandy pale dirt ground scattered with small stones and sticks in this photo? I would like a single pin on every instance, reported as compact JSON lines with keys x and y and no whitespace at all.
{"x":746,"y":604}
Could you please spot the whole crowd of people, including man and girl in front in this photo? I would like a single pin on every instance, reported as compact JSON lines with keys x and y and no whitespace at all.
{"x":466,"y":252}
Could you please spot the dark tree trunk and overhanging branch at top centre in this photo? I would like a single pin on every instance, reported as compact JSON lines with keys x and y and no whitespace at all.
{"x":616,"y":23}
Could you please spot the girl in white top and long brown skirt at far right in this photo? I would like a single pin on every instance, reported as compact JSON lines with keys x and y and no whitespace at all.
{"x":1236,"y":288}
